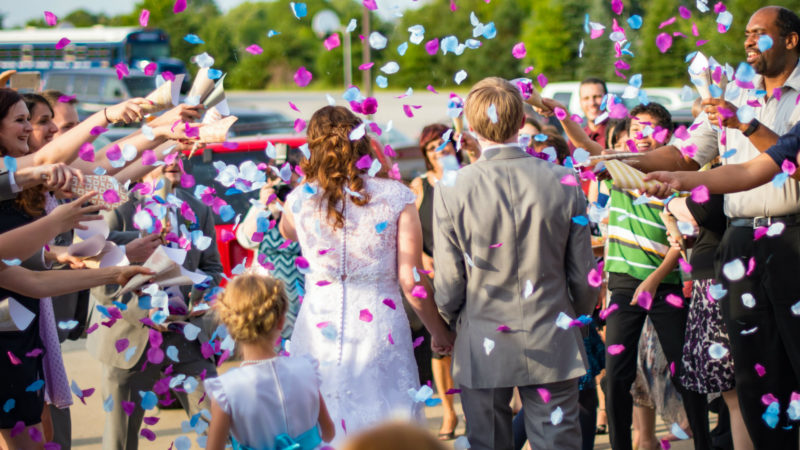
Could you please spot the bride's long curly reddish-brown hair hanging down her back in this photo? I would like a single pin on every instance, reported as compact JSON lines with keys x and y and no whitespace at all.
{"x":332,"y":164}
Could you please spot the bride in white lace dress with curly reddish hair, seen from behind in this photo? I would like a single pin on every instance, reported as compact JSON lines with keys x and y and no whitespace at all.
{"x":361,"y":237}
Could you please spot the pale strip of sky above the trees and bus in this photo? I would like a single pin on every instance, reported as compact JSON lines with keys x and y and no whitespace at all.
{"x":16,"y":16}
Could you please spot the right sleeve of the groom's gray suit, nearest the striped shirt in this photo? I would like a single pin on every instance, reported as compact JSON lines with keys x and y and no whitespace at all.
{"x":580,"y":260}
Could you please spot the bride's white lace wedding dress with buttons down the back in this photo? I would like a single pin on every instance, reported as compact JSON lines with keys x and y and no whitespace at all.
{"x":352,"y":318}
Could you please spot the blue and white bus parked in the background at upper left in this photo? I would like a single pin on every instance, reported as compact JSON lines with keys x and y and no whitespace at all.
{"x":89,"y":48}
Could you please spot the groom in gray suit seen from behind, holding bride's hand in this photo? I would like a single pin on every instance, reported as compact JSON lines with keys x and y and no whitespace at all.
{"x":509,"y":260}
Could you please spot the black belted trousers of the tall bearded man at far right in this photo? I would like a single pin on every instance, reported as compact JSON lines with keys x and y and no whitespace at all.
{"x":768,"y":333}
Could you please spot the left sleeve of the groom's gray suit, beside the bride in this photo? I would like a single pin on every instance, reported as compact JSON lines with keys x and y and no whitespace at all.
{"x":450,"y":281}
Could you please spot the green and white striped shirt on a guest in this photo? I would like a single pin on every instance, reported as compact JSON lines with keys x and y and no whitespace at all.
{"x":637,"y":238}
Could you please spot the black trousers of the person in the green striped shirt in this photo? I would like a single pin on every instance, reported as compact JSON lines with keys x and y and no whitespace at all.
{"x":623,"y":327}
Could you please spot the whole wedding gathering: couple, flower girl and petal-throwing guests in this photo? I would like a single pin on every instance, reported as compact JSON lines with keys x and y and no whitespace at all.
{"x":516,"y":274}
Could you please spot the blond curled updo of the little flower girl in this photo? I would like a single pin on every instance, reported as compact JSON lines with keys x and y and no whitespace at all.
{"x":251,"y":306}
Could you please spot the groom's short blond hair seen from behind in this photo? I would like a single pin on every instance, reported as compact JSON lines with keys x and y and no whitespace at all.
{"x":507,"y":103}
